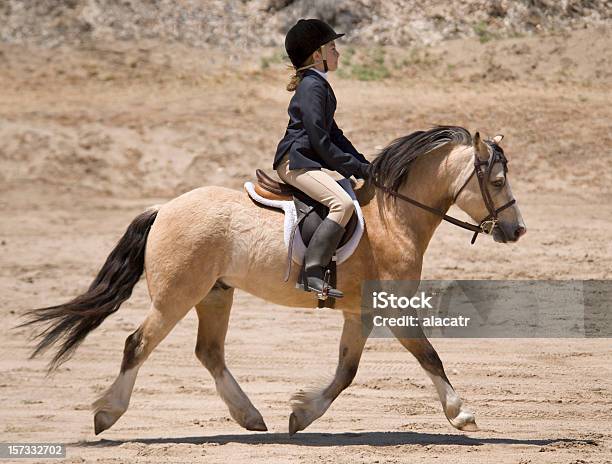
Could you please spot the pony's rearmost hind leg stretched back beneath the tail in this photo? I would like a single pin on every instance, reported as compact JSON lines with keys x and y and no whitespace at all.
{"x":138,"y":346}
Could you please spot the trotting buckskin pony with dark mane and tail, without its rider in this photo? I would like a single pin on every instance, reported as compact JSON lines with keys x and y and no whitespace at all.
{"x":197,"y":248}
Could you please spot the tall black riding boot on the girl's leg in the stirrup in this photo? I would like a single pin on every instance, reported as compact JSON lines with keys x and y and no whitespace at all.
{"x":319,"y":253}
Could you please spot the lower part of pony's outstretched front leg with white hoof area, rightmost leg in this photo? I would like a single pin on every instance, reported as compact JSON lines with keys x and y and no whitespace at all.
{"x":459,"y":416}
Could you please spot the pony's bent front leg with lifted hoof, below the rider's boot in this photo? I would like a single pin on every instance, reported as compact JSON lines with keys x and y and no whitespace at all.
{"x":307,"y":406}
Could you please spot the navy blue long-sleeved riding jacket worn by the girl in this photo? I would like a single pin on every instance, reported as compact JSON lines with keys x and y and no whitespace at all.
{"x":312,"y":136}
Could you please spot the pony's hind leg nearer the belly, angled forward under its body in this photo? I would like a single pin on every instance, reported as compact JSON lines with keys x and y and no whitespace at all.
{"x":213,"y":315}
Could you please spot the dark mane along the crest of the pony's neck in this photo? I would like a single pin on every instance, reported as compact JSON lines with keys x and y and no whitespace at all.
{"x":391,"y":167}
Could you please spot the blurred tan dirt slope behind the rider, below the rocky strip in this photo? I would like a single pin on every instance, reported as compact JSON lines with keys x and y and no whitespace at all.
{"x":159,"y":119}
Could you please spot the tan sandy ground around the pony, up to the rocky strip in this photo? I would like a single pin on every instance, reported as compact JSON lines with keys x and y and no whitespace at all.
{"x":81,"y":156}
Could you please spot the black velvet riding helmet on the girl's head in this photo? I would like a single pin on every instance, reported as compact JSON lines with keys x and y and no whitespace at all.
{"x":305,"y":37}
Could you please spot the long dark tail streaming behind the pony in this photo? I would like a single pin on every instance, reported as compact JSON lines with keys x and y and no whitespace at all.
{"x":68,"y":324}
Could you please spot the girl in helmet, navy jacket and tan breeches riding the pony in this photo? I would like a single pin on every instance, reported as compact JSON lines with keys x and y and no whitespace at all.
{"x":313,"y":141}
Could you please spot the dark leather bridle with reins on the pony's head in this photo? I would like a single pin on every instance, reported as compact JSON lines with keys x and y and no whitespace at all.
{"x":488,"y":223}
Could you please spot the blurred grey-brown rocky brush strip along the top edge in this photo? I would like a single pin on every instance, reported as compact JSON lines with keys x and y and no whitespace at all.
{"x":260,"y":23}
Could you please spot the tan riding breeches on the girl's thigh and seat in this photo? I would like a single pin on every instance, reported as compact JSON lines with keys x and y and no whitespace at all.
{"x":321,"y":186}
